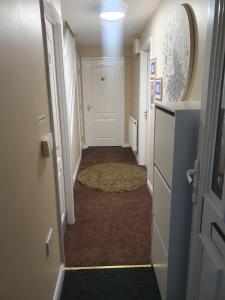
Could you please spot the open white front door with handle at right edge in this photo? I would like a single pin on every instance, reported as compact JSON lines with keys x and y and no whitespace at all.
{"x":207,"y":268}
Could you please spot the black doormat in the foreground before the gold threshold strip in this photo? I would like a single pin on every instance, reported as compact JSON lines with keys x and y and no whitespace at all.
{"x":111,"y":284}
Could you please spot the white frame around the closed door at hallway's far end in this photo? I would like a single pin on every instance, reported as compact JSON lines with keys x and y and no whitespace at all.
{"x":86,"y":60}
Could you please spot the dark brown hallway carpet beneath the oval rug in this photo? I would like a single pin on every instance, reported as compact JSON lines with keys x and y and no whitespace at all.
{"x":110,"y":228}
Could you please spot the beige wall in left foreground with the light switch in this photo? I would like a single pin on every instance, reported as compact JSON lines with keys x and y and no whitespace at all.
{"x":27,"y":185}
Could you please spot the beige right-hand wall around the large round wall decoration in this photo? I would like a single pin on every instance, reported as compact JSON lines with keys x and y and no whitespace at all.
{"x":155,"y":30}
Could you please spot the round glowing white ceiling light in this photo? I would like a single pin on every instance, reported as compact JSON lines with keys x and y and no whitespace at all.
{"x":113,"y":10}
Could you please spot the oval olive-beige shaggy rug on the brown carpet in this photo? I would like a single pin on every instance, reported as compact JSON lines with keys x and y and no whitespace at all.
{"x":113,"y":177}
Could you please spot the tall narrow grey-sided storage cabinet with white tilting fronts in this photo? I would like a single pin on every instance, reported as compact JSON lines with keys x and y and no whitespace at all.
{"x":176,"y":132}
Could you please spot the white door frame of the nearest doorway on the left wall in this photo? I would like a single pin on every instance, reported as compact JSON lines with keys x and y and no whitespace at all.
{"x":51,"y":14}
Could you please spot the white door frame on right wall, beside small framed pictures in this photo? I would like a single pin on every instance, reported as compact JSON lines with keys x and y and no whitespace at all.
{"x":142,"y":124}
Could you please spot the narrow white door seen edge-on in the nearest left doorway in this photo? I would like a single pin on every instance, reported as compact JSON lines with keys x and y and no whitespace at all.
{"x":56,"y":120}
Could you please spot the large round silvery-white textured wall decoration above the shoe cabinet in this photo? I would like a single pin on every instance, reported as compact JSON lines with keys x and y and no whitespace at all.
{"x":178,"y":53}
